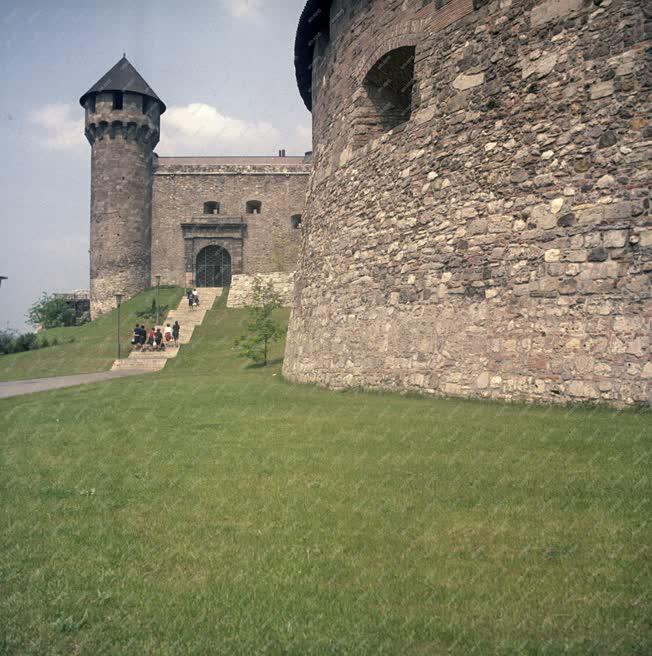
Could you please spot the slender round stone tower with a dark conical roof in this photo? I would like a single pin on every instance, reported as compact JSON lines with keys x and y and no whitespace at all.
{"x":123,"y":127}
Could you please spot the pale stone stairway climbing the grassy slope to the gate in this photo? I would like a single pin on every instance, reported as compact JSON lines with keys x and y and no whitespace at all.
{"x":188,"y":319}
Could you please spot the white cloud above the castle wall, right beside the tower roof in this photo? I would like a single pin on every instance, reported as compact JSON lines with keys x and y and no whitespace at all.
{"x":200,"y":129}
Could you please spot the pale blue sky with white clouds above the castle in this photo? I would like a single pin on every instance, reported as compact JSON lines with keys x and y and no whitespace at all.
{"x":224,"y":68}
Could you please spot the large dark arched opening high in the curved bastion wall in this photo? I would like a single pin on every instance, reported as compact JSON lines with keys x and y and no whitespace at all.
{"x":389,"y":85}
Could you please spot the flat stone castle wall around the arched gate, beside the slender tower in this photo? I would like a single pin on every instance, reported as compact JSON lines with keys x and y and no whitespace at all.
{"x":268,"y":243}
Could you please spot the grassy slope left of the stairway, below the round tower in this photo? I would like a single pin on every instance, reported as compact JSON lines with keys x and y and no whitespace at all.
{"x":93,"y":348}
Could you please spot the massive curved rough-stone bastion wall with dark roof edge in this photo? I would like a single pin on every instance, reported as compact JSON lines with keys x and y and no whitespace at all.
{"x":488,"y":233}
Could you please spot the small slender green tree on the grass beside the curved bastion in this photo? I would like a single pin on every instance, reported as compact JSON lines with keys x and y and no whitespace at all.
{"x":262,"y":329}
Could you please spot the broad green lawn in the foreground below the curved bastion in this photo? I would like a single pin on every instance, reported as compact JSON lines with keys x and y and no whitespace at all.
{"x":213,"y":508}
